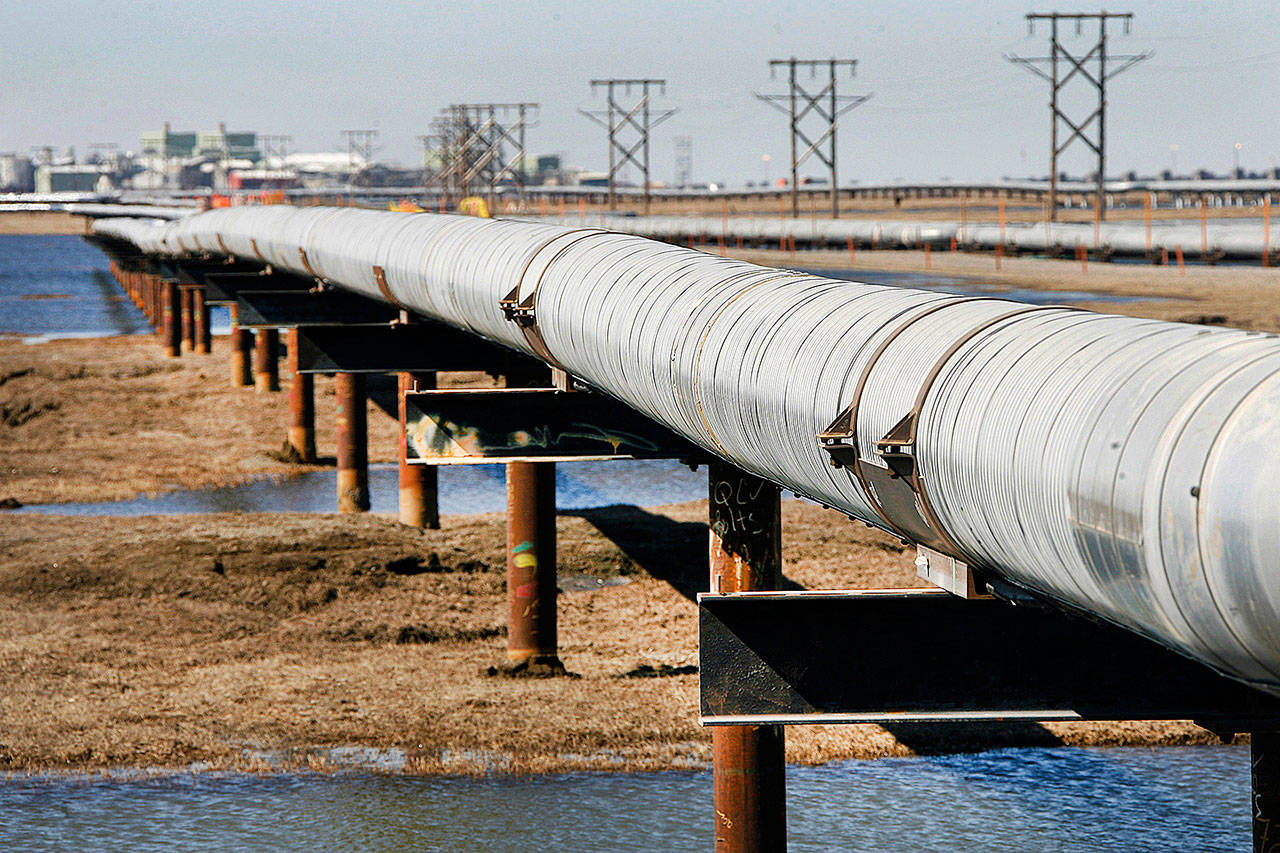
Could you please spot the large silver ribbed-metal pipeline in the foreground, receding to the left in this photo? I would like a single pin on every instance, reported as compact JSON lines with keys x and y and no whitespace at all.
{"x":1123,"y":467}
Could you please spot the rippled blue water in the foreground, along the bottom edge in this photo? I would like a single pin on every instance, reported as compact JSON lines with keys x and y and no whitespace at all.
{"x":1191,"y":799}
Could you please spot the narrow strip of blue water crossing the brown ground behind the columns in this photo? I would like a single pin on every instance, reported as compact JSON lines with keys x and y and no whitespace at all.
{"x":463,"y":489}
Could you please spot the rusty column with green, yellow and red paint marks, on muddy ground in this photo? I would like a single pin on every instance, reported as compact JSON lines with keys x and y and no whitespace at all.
{"x":532,"y":642}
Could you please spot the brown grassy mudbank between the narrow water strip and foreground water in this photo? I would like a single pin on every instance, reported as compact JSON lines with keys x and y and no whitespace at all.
{"x":170,"y":641}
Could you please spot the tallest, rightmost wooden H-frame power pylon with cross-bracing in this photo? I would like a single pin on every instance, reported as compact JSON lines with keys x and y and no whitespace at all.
{"x":1092,"y":67}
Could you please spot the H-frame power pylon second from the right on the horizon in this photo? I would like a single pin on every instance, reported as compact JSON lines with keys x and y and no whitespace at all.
{"x":826,"y":104}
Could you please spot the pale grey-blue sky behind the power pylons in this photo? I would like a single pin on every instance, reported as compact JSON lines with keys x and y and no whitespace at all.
{"x":947,"y":103}
